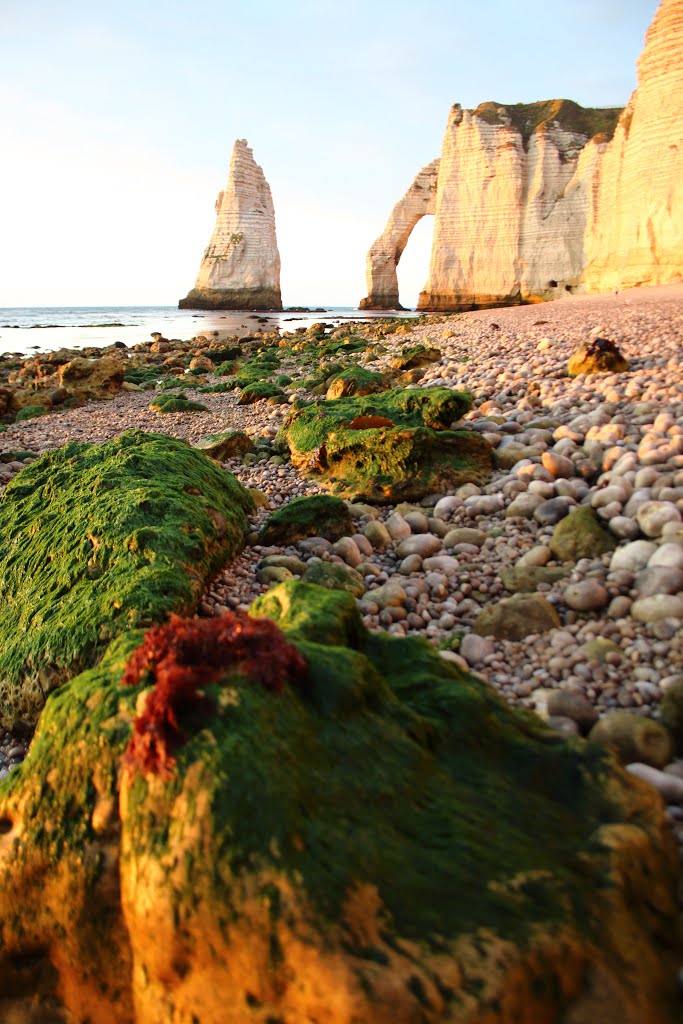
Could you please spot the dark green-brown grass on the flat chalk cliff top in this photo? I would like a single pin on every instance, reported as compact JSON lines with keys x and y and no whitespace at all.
{"x":528,"y":118}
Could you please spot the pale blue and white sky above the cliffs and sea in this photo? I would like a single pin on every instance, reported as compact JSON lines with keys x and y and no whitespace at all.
{"x":118,"y":120}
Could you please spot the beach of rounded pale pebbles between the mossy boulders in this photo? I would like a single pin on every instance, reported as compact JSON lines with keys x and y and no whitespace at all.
{"x":613,"y":443}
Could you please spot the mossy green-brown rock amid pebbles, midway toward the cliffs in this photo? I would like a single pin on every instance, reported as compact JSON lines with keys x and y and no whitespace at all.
{"x":388,"y":448}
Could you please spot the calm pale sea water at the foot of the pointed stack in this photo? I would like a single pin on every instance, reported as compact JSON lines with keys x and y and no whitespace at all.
{"x":33,"y":329}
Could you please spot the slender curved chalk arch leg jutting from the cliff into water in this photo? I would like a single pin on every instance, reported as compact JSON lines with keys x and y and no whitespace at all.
{"x":419,"y":201}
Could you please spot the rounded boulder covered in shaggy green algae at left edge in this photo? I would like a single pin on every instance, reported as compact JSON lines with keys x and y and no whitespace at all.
{"x":96,"y":540}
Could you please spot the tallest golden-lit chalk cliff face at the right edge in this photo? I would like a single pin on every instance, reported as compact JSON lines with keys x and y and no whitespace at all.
{"x":637,"y":237}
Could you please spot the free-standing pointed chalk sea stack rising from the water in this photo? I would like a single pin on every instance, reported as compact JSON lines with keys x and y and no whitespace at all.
{"x":241,"y":266}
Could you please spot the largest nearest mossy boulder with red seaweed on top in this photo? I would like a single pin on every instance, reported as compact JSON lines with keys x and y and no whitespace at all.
{"x":372,"y":837}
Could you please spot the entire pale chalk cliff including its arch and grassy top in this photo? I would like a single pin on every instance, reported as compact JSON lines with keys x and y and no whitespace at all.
{"x":535,"y":201}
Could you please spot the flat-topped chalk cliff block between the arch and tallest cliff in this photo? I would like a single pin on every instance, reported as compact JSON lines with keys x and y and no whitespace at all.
{"x":514,"y":198}
